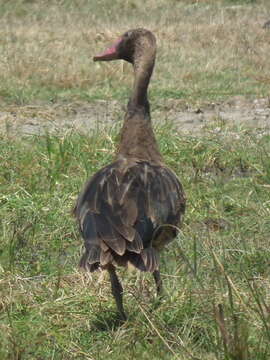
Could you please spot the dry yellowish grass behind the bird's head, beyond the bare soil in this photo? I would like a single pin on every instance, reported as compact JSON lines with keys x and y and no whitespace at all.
{"x":206,"y":49}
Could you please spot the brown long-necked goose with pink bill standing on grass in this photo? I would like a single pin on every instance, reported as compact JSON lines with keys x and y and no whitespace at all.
{"x":130,"y":209}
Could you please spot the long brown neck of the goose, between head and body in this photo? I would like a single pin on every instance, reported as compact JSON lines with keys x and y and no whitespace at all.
{"x":137,"y":139}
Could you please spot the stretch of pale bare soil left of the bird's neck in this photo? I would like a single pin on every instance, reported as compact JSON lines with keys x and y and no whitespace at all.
{"x":39,"y":120}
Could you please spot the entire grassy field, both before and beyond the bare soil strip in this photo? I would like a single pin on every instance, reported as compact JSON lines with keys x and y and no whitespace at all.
{"x":217,"y":271}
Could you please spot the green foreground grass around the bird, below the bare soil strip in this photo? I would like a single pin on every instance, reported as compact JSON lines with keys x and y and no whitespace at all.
{"x":216,"y":272}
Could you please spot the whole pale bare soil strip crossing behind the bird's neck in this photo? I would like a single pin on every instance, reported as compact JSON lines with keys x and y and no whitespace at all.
{"x":82,"y":117}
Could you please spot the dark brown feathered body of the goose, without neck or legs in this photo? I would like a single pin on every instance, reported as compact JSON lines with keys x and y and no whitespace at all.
{"x":123,"y":212}
